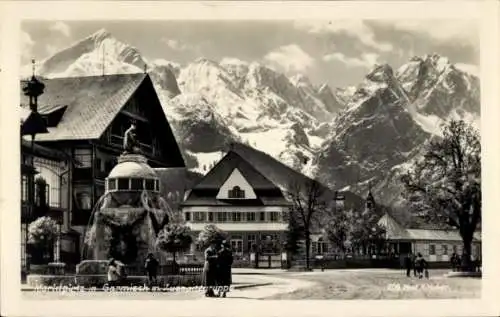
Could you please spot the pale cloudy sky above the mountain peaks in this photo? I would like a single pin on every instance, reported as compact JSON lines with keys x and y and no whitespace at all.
{"x":337,"y":52}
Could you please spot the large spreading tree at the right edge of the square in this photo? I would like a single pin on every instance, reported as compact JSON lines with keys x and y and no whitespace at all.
{"x":445,"y":186}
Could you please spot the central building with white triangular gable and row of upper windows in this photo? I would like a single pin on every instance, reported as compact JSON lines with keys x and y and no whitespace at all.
{"x":241,"y":201}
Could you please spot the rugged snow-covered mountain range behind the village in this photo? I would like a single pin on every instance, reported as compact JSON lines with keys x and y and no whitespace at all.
{"x":344,"y":136}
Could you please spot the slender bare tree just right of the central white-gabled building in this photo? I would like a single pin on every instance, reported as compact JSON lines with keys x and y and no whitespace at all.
{"x":307,"y":204}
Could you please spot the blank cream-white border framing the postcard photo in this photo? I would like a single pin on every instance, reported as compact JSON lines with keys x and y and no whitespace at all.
{"x":11,"y":15}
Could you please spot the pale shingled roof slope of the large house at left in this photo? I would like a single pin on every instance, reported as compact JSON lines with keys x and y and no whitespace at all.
{"x":92,"y":103}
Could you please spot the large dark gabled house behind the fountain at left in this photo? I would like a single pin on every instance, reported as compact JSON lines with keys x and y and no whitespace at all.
{"x":87,"y":117}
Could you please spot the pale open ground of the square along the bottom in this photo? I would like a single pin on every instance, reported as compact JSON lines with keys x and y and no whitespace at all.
{"x":330,"y":284}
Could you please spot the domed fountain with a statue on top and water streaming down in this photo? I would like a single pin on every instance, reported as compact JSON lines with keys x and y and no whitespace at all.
{"x":126,"y":220}
